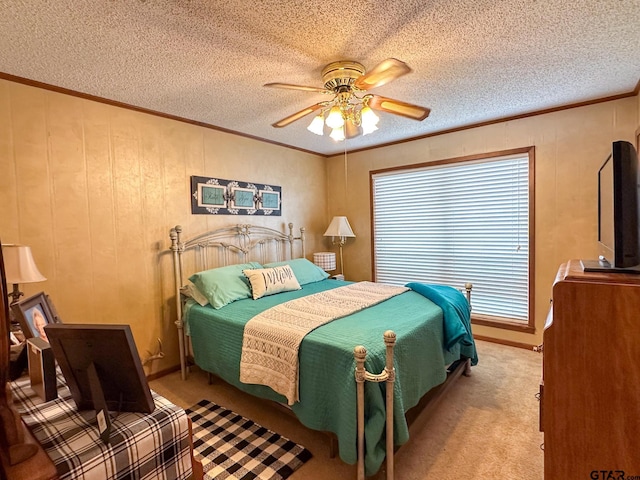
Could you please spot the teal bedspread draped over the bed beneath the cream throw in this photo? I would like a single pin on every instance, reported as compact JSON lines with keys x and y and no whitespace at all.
{"x":327,"y":385}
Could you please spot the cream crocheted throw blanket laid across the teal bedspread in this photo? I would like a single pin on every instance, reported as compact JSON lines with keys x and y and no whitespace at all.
{"x":272,"y":338}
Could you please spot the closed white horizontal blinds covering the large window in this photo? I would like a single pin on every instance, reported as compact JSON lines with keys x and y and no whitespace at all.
{"x":457,"y":223}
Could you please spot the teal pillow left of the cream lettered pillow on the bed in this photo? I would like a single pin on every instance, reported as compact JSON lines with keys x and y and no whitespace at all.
{"x":224,"y":285}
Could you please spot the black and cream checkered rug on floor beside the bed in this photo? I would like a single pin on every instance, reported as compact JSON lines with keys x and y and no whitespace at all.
{"x":232,"y":447}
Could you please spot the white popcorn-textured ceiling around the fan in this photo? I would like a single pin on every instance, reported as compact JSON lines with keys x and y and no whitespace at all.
{"x":207,"y":60}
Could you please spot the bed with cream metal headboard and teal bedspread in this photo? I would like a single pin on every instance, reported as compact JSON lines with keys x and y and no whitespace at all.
{"x":213,"y":338}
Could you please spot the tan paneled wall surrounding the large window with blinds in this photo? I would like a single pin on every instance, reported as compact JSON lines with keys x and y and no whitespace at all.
{"x":570,"y":145}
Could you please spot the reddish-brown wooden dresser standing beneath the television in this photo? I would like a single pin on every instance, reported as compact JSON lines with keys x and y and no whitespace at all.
{"x":590,"y":392}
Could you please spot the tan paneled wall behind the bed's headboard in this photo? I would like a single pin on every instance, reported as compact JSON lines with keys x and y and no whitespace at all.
{"x":94,"y":190}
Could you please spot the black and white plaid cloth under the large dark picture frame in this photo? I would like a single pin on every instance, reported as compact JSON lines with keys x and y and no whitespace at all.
{"x":142,"y":446}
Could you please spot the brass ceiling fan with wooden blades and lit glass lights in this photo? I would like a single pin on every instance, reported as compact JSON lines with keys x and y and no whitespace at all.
{"x":350,"y":112}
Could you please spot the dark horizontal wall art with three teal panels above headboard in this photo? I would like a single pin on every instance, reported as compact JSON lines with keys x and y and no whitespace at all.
{"x":216,"y":196}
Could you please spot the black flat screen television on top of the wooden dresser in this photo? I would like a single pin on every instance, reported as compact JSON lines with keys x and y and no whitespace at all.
{"x":618,"y":212}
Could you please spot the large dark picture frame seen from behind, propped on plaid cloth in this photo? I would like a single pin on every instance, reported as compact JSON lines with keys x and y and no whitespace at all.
{"x":102,"y":368}
